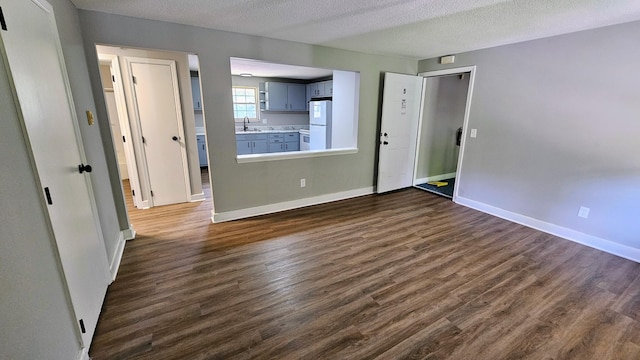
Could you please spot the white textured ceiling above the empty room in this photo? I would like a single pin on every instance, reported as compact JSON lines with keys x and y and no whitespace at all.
{"x":414,"y":28}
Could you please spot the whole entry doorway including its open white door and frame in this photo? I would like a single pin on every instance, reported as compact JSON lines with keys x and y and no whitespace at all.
{"x":411,"y":137}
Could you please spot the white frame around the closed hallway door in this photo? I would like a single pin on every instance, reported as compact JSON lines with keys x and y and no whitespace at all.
{"x":137,"y":126}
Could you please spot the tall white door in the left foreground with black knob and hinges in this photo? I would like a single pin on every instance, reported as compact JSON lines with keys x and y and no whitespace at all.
{"x":34,"y":57}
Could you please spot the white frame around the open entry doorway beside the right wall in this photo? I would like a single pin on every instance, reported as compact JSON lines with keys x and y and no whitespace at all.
{"x":436,"y":73}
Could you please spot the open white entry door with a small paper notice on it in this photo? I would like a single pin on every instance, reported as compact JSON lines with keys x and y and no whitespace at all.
{"x":401,"y":100}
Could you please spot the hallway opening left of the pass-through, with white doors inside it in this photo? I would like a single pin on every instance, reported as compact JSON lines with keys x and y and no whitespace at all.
{"x":157,"y":148}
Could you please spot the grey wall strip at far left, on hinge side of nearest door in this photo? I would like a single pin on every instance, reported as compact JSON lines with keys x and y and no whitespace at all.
{"x":37,"y":320}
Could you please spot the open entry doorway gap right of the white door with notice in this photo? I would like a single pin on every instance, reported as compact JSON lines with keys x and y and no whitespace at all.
{"x":440,"y":132}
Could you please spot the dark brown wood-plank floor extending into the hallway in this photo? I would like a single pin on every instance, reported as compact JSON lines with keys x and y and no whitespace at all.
{"x":406,"y":275}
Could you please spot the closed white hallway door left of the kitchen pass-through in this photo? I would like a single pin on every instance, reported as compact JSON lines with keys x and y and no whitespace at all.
{"x":157,"y":102}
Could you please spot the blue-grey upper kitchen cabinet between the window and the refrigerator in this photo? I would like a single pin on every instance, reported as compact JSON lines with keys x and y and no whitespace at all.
{"x":285,"y":96}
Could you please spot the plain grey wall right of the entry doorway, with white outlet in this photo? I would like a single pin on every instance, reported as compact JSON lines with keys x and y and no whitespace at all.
{"x":558,"y":129}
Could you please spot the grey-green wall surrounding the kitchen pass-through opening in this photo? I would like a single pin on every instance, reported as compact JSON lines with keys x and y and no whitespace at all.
{"x":234,"y":185}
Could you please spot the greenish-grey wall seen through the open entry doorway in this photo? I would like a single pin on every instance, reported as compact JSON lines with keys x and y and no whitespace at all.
{"x":445,"y":99}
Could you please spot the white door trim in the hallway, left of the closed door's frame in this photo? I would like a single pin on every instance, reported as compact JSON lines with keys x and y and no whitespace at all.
{"x":125,"y":126}
